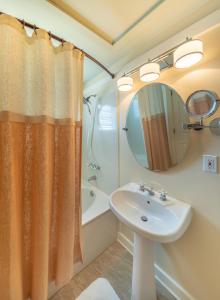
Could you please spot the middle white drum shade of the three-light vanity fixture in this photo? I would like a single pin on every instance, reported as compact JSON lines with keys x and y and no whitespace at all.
{"x":149,"y":72}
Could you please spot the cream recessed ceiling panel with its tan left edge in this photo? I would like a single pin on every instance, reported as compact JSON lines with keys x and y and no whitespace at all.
{"x":112,"y":19}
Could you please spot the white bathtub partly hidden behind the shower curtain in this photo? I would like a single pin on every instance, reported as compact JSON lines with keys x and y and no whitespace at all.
{"x":99,"y":227}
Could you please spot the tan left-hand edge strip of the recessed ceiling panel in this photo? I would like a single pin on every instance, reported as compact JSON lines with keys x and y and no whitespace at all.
{"x":60,"y":4}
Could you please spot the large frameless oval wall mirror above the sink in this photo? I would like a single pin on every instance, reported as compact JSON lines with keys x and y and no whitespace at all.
{"x":154,"y":127}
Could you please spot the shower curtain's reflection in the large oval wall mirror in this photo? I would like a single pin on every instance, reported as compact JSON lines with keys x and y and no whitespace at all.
{"x":153,"y":115}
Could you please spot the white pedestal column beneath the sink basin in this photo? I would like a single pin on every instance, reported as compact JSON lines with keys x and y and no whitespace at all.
{"x":143,"y":282}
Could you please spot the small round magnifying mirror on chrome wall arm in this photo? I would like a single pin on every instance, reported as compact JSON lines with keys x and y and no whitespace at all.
{"x":202,"y":104}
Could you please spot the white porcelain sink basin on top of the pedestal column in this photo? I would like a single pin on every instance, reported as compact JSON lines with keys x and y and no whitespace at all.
{"x":166,"y":220}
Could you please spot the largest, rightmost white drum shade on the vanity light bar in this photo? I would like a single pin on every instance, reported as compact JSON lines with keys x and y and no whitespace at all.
{"x":188,"y":54}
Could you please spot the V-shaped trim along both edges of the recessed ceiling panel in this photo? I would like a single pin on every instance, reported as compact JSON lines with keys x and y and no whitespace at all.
{"x":69,"y":10}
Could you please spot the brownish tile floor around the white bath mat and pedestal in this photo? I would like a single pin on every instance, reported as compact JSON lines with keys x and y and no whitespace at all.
{"x":114,"y":264}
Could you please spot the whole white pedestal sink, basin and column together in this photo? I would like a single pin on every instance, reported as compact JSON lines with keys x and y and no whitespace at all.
{"x":152,"y":219}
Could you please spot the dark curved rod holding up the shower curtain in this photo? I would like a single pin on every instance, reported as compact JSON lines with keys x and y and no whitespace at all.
{"x":59,"y":39}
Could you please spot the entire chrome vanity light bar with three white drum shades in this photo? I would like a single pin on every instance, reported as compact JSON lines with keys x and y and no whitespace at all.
{"x":183,"y":55}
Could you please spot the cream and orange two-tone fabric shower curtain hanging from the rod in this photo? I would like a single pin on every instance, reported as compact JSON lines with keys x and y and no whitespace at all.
{"x":40,"y":161}
